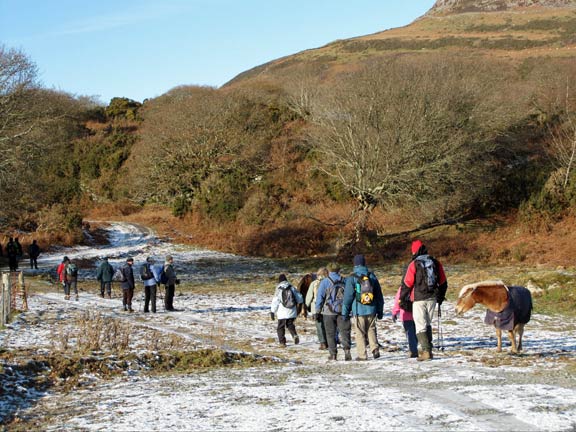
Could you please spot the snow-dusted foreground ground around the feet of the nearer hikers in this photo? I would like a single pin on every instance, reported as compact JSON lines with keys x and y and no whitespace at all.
{"x":468,"y":386}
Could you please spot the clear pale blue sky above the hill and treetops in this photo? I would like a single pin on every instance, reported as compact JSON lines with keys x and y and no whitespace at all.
{"x":142,"y":48}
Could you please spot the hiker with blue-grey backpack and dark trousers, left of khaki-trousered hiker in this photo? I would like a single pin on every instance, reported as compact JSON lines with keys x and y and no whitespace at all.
{"x":329,"y":309}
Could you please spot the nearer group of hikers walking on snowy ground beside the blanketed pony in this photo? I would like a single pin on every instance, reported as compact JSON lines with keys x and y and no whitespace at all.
{"x":339,"y":303}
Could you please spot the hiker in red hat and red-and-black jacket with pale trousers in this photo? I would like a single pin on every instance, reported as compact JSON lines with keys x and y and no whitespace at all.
{"x":424,"y":285}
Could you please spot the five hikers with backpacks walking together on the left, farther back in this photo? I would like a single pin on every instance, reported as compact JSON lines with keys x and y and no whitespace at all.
{"x":151,"y":274}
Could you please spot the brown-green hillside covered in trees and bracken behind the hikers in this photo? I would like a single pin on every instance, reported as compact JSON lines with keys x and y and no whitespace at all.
{"x":352,"y":146}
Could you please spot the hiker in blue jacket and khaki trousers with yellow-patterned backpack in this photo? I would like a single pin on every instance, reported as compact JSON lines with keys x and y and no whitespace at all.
{"x":363,"y":300}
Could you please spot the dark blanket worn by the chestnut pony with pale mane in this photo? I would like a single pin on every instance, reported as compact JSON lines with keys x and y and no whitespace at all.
{"x":517,"y":311}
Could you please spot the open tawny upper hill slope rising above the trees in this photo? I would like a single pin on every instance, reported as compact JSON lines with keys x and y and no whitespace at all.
{"x":512,"y":29}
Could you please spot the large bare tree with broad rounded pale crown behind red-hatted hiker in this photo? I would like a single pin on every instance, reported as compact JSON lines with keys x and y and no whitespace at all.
{"x":405,"y":133}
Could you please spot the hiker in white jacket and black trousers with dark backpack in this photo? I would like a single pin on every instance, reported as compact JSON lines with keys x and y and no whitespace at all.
{"x":284,"y":308}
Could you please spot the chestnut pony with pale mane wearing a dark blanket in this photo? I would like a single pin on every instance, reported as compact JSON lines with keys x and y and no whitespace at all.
{"x":508,"y":308}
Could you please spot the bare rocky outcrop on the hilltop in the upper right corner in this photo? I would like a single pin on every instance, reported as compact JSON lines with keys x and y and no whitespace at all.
{"x":445,"y":7}
